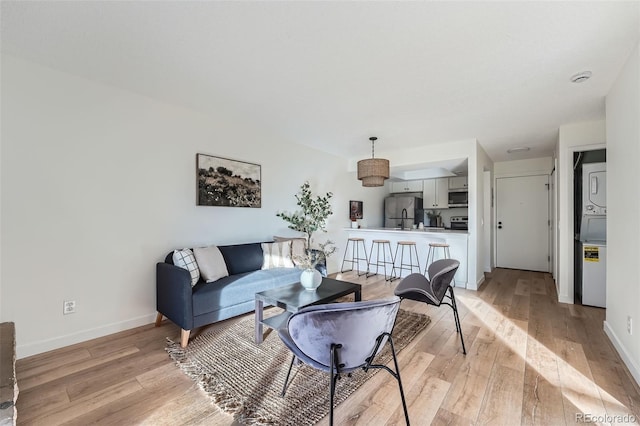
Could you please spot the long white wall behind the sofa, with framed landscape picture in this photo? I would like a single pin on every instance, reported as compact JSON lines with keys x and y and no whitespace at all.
{"x":98,"y":184}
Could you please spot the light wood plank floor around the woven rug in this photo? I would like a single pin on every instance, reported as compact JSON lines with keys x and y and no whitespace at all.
{"x":530,"y":360}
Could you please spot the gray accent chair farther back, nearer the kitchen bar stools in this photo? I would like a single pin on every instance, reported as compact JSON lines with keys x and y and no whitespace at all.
{"x":434,"y":289}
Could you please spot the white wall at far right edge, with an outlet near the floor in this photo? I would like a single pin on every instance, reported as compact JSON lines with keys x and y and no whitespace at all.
{"x":623,"y":210}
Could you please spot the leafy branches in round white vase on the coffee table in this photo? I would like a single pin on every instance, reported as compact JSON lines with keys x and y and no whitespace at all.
{"x":311,"y":217}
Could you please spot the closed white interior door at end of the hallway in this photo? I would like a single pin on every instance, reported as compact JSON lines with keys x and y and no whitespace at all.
{"x":522,"y":235}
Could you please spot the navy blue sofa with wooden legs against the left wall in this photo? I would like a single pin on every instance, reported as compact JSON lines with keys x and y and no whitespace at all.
{"x":205,"y":303}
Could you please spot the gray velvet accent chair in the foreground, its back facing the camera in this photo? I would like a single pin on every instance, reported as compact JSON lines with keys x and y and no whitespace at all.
{"x":339,"y":338}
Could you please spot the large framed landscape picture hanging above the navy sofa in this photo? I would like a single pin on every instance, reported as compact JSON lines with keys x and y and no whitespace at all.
{"x":225,"y":182}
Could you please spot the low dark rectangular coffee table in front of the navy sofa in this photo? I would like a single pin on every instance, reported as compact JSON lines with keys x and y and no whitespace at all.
{"x":294,"y":297}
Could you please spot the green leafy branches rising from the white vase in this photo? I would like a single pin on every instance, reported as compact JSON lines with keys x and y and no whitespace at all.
{"x":313,"y":213}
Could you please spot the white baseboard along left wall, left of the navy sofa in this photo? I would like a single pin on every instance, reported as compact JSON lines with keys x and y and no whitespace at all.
{"x":41,"y":346}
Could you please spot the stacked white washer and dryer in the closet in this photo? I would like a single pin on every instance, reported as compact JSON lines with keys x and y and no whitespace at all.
{"x":593,"y":234}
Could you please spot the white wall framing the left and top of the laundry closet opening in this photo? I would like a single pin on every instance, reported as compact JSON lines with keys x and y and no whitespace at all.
{"x":572,"y":138}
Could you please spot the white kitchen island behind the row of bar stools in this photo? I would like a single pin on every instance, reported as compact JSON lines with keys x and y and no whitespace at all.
{"x":457,"y":240}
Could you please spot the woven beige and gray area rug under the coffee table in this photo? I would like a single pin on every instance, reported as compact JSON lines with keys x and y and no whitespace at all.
{"x":246,"y":379}
